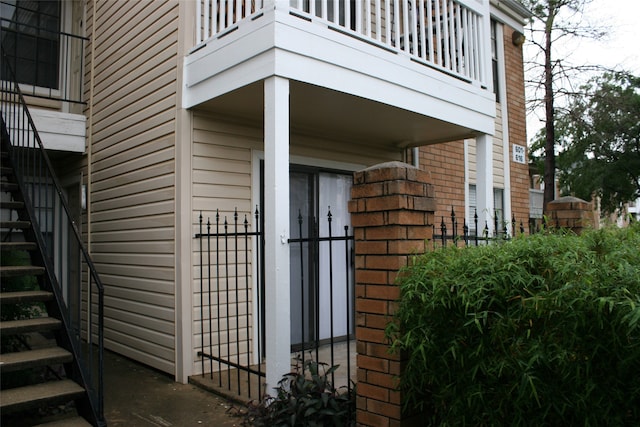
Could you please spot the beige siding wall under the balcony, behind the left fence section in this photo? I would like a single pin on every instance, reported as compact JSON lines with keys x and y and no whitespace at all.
{"x":221,"y":176}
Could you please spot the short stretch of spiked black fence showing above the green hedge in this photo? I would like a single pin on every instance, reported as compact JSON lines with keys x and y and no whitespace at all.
{"x":471,"y":234}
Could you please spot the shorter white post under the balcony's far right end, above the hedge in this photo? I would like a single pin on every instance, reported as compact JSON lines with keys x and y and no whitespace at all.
{"x":484,"y":182}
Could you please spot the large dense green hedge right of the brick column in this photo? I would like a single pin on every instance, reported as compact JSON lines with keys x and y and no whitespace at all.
{"x":544,"y":330}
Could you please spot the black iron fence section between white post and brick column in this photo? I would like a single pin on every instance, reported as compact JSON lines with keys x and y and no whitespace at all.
{"x":325,"y":288}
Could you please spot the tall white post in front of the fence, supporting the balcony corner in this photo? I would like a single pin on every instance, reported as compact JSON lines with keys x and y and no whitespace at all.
{"x":276,"y":187}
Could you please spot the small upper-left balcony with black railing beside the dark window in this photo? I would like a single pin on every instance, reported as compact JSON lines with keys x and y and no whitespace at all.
{"x":49,"y":65}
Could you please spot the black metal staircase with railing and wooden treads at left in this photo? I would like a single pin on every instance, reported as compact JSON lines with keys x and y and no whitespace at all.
{"x":51,"y":316}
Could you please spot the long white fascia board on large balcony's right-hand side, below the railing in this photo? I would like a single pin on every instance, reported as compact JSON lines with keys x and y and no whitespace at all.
{"x":372,"y":73}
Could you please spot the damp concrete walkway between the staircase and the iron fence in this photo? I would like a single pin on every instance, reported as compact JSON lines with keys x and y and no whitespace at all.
{"x":136,"y":395}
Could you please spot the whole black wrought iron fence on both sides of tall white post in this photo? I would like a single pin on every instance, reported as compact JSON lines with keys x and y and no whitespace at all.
{"x":232,"y":342}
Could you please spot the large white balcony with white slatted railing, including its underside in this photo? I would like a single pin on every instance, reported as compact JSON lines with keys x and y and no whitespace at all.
{"x":407,"y":71}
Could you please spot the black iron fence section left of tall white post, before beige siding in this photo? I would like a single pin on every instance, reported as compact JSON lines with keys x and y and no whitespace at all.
{"x":227,"y":338}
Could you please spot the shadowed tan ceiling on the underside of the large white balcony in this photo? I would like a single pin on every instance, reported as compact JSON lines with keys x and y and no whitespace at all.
{"x":323,"y":112}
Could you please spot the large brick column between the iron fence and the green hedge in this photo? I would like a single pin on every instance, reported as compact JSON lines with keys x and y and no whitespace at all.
{"x":392,"y":210}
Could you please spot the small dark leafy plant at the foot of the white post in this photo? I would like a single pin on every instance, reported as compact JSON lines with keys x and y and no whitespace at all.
{"x":305,"y":398}
